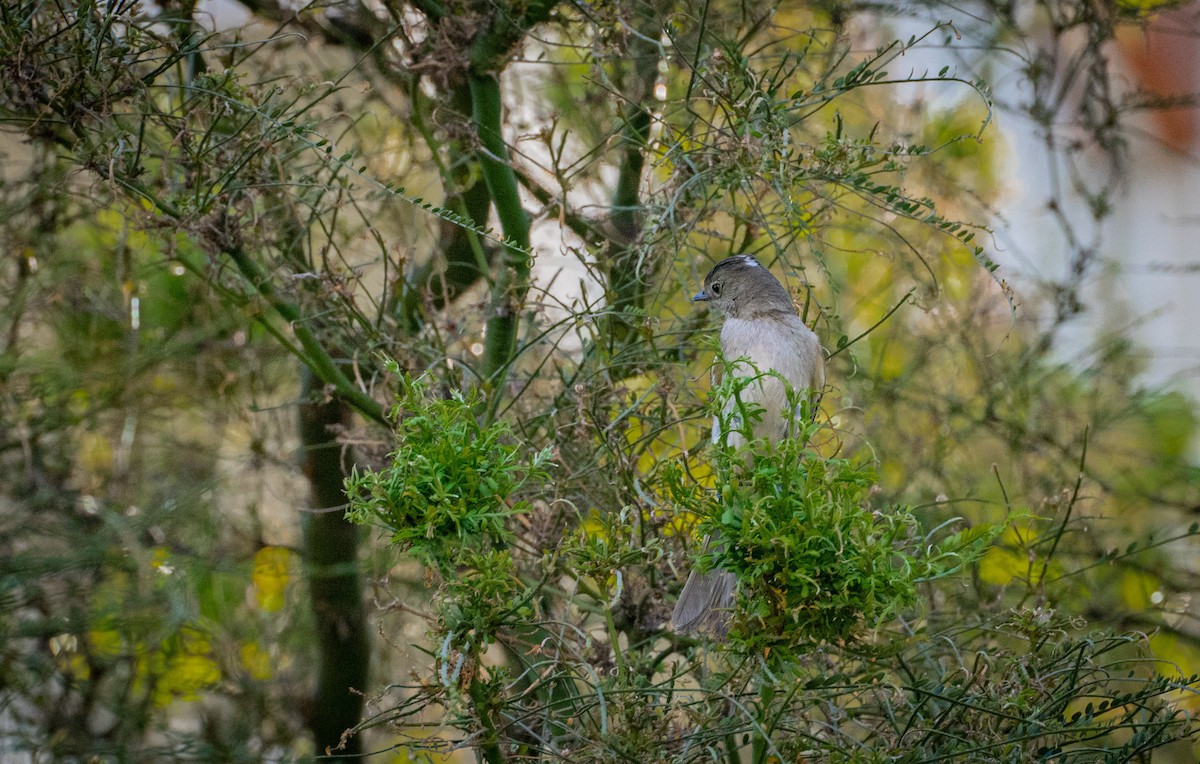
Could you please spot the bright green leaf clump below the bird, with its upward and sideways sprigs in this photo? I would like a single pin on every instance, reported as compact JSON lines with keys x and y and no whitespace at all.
{"x":814,"y":561}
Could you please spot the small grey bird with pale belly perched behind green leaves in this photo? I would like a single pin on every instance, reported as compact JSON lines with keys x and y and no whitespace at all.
{"x":761,"y":326}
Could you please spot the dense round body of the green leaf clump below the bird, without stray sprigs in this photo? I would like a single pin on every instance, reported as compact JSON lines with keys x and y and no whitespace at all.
{"x":813,"y":561}
